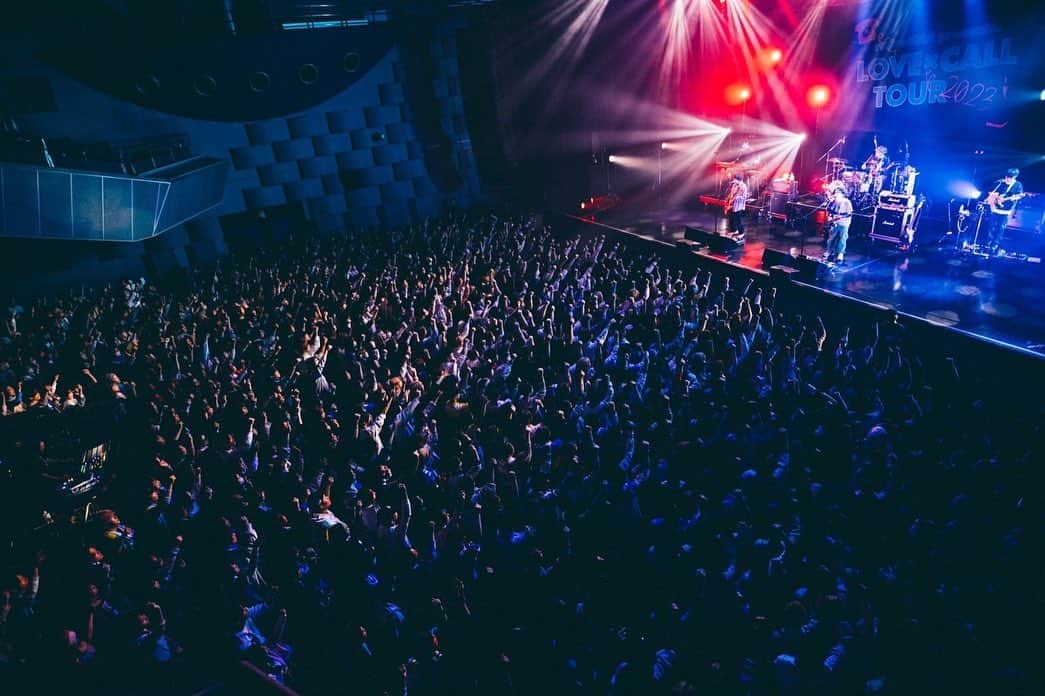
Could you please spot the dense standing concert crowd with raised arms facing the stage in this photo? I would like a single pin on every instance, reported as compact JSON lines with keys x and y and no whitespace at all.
{"x":476,"y":457}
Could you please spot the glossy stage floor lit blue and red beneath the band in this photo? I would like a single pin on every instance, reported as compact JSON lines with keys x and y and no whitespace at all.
{"x":1000,"y":300}
